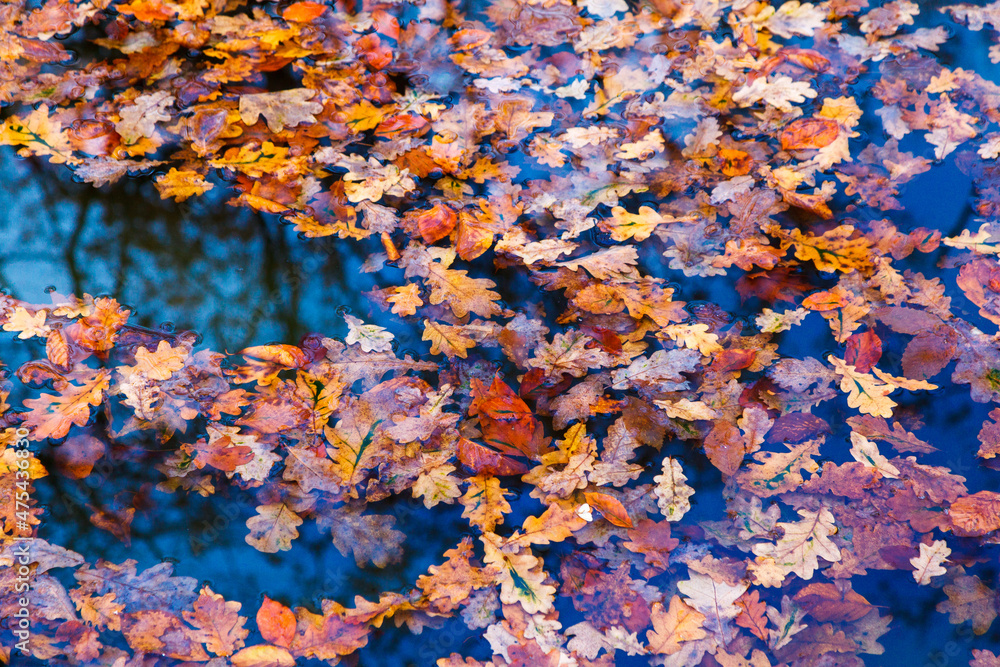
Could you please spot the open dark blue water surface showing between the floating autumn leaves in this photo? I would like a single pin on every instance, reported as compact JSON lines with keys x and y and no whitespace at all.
{"x":240,"y":278}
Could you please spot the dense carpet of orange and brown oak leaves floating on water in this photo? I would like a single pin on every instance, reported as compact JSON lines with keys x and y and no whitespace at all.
{"x":716,"y":134}
